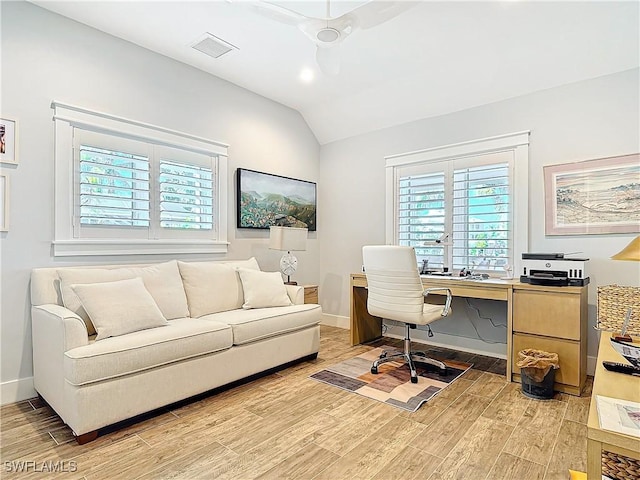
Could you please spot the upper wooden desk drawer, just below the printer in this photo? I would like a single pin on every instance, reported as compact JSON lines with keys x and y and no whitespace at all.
{"x":550,"y":314}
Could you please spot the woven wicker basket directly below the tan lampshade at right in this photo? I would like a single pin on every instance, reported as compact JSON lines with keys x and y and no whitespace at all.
{"x":613,"y":303}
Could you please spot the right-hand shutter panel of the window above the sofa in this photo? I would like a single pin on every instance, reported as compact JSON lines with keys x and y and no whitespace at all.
{"x":186,"y":196}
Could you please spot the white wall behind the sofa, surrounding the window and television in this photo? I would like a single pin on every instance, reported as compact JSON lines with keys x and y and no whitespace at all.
{"x":47,"y":57}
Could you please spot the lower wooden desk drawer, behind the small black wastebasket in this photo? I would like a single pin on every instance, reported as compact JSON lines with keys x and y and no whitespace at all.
{"x":568,"y":354}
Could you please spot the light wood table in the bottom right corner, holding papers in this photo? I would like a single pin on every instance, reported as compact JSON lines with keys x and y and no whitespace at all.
{"x":614,"y":385}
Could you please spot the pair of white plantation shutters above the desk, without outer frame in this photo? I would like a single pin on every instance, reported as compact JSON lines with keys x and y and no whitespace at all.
{"x":465,"y":201}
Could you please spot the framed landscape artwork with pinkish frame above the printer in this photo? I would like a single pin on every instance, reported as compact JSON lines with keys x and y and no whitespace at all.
{"x":593,"y":197}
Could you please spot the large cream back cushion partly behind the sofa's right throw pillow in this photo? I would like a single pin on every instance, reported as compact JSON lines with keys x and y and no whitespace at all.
{"x":211,"y":287}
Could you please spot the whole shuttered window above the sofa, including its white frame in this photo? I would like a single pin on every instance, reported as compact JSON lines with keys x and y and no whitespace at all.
{"x":135,"y":189}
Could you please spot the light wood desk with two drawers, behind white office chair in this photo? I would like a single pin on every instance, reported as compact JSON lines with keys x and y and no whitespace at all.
{"x":548,"y":318}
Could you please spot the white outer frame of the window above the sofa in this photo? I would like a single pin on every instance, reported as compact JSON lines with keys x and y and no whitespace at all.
{"x":67,"y":118}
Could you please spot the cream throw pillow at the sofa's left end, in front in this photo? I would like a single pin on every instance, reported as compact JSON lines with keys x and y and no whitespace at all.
{"x":120,"y":307}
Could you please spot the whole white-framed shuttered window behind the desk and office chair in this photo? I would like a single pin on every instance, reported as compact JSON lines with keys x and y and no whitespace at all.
{"x":457,"y":205}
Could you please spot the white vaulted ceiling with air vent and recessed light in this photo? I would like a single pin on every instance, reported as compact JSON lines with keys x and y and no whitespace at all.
{"x":437,"y":57}
